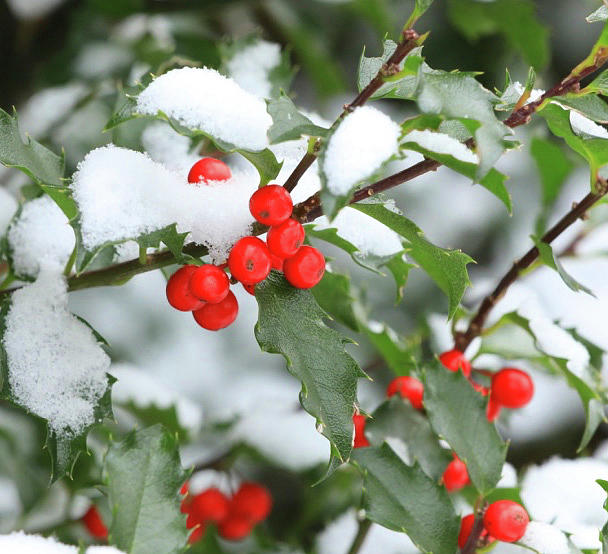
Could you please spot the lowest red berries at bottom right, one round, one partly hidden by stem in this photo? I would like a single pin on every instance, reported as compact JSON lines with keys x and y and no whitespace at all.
{"x":504,"y":520}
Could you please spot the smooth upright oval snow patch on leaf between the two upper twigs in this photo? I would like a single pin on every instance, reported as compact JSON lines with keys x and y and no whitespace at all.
{"x":365,"y":139}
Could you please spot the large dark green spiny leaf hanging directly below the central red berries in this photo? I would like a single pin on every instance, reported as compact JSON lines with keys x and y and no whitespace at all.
{"x":290,"y":323}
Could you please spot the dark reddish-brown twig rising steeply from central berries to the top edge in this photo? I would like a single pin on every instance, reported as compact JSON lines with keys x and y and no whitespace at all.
{"x":409,"y":40}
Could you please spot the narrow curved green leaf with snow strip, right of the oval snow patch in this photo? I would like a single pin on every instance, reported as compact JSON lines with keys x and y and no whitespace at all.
{"x":421,"y":141}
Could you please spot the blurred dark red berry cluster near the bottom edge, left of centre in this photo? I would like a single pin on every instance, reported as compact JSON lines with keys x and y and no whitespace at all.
{"x":235,"y":517}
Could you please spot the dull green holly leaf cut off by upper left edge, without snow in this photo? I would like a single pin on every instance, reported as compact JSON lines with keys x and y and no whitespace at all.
{"x":29,"y":156}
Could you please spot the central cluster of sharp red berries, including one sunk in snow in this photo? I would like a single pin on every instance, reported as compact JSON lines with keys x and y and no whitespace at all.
{"x":205,"y":290}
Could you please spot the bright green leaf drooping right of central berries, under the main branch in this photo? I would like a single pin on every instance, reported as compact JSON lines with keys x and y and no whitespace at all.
{"x":448,"y":268}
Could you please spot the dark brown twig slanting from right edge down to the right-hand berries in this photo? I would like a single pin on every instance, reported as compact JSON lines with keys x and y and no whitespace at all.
{"x":476,"y":325}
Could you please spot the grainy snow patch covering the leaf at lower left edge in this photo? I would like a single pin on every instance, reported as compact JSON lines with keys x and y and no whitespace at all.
{"x":56,"y":368}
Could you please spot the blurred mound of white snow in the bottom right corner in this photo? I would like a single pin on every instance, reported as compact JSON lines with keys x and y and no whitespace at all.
{"x":565,"y":494}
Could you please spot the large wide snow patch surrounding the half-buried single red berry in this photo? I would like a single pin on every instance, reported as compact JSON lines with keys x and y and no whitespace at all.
{"x":123,"y":194}
